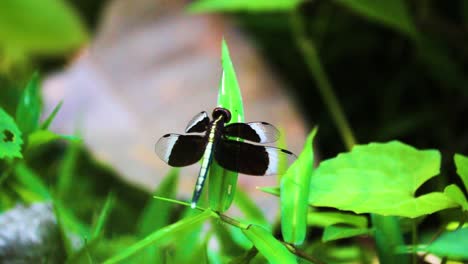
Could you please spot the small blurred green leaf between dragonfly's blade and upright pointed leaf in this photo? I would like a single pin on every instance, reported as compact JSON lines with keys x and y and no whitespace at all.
{"x":252,"y":213}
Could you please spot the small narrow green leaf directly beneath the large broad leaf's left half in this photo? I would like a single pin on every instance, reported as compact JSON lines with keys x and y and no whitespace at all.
{"x":324,"y":219}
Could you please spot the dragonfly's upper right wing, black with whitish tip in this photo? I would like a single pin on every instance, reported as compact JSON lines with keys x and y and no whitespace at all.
{"x":260,"y":132}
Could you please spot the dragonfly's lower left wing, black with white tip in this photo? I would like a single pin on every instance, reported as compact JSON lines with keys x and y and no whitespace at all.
{"x":180,"y":150}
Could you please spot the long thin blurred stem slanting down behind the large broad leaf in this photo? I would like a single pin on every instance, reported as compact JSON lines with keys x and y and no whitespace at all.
{"x":310,"y":54}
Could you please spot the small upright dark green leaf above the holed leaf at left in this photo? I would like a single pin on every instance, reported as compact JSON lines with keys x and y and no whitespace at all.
{"x":28,"y":110}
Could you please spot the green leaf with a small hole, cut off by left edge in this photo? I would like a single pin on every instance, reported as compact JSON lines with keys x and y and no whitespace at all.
{"x":10,"y":137}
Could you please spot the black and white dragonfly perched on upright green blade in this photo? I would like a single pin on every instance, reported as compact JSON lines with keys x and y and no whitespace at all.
{"x":207,"y":139}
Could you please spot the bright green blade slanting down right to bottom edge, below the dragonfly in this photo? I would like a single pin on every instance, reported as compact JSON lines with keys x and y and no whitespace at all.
{"x":268,"y":246}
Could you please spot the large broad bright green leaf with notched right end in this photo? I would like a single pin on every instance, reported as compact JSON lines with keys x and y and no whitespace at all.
{"x":379,"y":178}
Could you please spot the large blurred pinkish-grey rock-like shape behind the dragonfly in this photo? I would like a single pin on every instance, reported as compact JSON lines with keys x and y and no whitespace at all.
{"x":151,"y":68}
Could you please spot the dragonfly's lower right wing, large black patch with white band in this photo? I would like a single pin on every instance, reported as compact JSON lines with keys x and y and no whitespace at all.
{"x":252,"y":159}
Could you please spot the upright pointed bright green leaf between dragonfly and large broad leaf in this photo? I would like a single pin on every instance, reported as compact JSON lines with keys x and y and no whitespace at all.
{"x":295,"y":186}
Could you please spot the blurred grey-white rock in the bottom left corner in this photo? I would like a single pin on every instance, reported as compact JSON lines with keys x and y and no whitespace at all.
{"x":30,"y":235}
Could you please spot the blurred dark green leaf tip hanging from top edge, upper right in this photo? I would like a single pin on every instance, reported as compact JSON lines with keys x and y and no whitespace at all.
{"x":394,"y":14}
